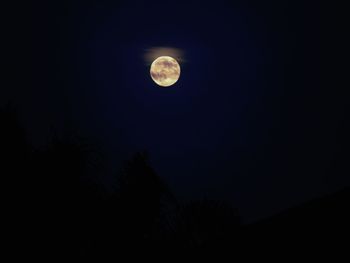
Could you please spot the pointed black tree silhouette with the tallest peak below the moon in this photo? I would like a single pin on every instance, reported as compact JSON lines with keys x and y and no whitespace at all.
{"x":135,"y":213}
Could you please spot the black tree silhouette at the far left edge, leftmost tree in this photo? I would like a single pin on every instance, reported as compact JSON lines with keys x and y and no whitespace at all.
{"x":15,"y":172}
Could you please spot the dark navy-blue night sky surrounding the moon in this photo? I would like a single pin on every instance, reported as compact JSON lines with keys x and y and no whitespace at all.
{"x":257,"y":116}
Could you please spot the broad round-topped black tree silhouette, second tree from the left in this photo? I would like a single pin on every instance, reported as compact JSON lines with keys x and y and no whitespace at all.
{"x":66,"y":199}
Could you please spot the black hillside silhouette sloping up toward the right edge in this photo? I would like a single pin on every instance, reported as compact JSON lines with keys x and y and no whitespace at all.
{"x":320,"y":224}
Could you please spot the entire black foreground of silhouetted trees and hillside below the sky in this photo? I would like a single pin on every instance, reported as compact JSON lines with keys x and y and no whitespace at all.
{"x":54,"y":208}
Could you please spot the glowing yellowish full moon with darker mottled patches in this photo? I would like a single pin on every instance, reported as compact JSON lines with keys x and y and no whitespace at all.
{"x":165,"y":71}
